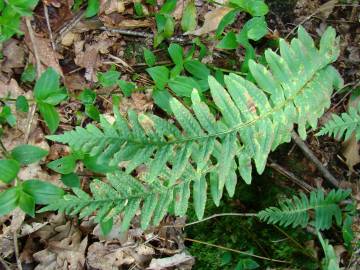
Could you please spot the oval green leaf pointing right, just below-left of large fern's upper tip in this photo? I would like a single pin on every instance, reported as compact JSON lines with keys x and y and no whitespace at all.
{"x":27,"y":154}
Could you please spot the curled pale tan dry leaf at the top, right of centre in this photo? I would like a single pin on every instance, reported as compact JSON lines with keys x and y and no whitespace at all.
{"x":212,"y":20}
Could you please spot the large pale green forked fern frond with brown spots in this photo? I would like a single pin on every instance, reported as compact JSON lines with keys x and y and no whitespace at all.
{"x":202,"y":147}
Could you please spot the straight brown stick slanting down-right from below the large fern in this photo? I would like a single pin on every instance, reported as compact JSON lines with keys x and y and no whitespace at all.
{"x":310,"y":155}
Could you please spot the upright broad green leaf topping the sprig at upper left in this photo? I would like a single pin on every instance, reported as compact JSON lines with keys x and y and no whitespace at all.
{"x":47,"y":85}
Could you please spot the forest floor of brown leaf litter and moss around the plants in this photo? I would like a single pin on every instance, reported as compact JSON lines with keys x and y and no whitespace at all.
{"x":78,"y":49}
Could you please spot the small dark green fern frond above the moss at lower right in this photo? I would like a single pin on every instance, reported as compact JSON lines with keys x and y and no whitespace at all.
{"x":295,"y":211}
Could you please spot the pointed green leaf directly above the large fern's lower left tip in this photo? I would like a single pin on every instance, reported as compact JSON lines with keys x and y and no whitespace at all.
{"x":41,"y":191}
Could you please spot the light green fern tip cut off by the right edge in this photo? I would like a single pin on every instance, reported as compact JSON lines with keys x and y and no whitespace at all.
{"x":343,"y":125}
